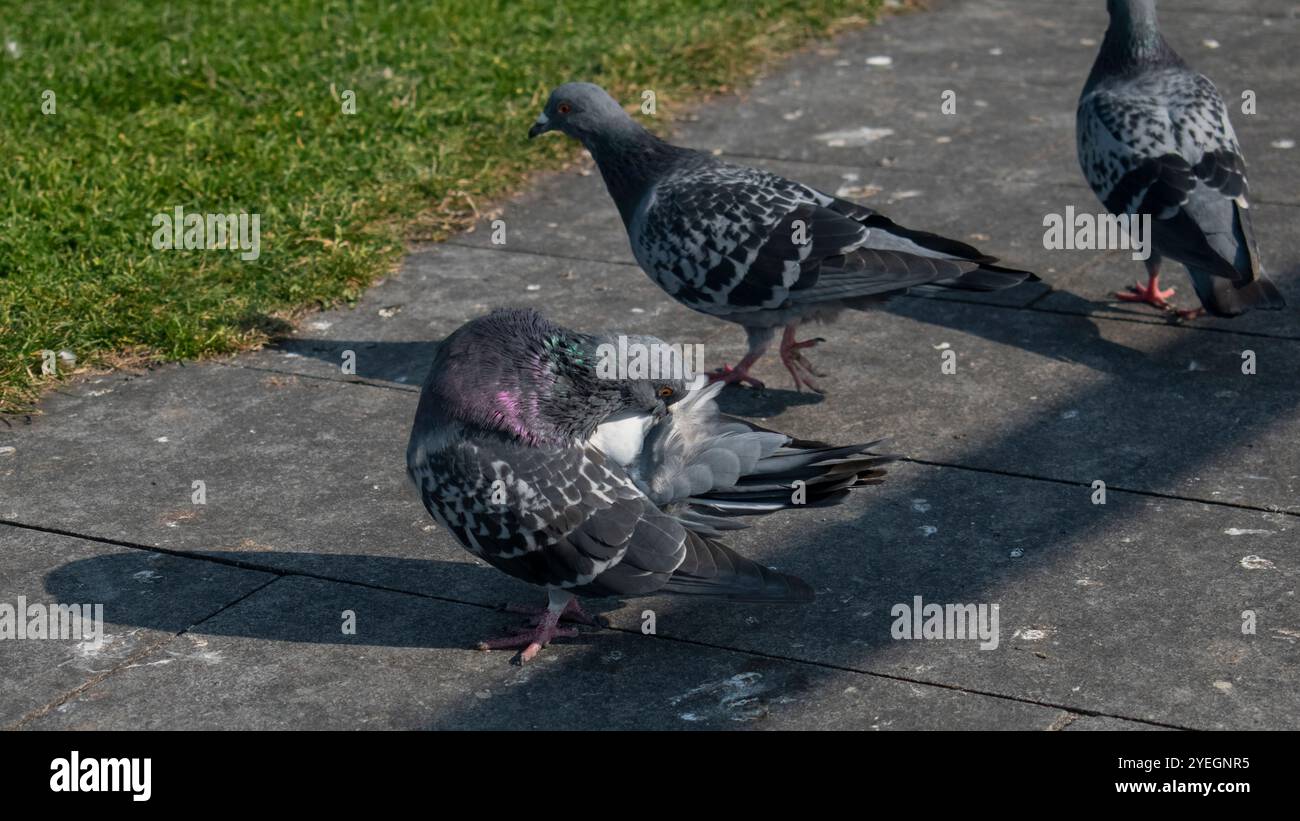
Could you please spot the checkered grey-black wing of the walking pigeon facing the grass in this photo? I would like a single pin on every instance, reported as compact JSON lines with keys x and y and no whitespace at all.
{"x":730,"y":241}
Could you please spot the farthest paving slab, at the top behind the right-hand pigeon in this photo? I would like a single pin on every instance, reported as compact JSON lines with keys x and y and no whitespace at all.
{"x":1016,"y":77}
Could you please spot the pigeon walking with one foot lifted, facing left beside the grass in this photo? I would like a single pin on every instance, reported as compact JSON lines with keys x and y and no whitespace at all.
{"x":751,"y":247}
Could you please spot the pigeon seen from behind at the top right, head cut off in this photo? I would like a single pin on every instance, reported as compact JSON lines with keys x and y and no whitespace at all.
{"x":1155,"y":141}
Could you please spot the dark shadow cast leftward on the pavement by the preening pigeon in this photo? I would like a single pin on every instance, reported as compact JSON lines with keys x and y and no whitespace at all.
{"x":305,"y":613}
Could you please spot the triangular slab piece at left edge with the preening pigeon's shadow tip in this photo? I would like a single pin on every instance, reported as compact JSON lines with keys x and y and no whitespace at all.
{"x":46,"y":570}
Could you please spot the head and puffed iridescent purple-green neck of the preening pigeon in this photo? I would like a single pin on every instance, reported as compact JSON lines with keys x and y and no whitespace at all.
{"x":521,"y":375}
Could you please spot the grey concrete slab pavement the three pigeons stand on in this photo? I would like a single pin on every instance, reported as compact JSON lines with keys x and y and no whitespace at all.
{"x":233,"y":614}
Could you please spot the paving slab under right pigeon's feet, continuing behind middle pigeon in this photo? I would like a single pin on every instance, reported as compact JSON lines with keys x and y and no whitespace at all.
{"x":1006,"y":219}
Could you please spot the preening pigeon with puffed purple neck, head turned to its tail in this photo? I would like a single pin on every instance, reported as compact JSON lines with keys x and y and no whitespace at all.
{"x":588,"y":484}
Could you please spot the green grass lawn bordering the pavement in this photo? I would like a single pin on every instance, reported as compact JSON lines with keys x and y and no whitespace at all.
{"x":236,"y":107}
